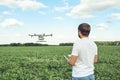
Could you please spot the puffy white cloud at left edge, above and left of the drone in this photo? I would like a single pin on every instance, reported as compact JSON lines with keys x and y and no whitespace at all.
{"x":11,"y":22}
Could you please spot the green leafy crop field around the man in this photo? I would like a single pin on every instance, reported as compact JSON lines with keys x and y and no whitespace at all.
{"x":48,"y":63}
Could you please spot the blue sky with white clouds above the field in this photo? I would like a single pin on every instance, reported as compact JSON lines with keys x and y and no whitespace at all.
{"x":19,"y":18}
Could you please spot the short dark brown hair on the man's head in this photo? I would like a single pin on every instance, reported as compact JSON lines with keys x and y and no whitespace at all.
{"x":84,"y":28}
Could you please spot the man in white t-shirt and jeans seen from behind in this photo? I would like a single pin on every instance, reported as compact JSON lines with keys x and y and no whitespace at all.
{"x":84,"y":55}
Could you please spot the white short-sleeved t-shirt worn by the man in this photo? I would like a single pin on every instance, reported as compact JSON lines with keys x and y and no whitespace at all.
{"x":85,"y":49}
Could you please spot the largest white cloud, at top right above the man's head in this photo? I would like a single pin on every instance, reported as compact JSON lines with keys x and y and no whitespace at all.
{"x":86,"y":8}
